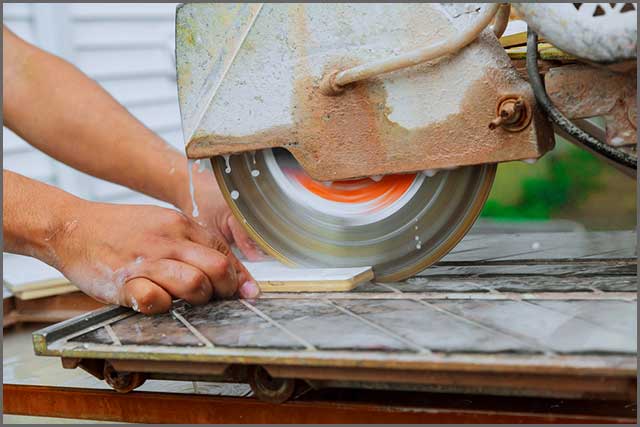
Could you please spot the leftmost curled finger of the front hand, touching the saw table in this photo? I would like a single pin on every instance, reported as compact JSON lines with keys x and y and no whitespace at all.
{"x":144,"y":296}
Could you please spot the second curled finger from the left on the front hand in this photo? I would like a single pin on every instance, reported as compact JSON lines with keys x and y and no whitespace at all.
{"x":180,"y":280}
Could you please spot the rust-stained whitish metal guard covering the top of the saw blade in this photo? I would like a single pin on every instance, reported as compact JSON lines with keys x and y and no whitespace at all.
{"x":249,"y":78}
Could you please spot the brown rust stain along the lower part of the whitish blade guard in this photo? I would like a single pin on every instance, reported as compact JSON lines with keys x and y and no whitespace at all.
{"x":351,"y":135}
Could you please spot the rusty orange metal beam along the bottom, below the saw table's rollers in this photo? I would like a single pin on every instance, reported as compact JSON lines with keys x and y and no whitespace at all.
{"x":370,"y":408}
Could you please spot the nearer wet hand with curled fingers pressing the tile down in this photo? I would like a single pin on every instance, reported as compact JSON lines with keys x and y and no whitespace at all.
{"x":144,"y":256}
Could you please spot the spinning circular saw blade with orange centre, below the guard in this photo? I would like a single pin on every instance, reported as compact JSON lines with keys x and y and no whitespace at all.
{"x":398,"y":224}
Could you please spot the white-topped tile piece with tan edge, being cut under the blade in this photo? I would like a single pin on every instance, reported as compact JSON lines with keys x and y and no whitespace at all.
{"x":275,"y":277}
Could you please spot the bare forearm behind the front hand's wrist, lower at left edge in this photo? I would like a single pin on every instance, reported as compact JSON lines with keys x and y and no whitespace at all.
{"x":35,"y":216}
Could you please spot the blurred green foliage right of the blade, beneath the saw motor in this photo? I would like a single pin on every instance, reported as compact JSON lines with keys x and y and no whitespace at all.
{"x":562,"y":178}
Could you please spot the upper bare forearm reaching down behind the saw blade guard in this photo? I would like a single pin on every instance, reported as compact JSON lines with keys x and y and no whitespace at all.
{"x":62,"y":112}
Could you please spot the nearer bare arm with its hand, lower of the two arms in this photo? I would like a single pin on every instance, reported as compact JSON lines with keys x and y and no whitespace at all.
{"x":137,"y":256}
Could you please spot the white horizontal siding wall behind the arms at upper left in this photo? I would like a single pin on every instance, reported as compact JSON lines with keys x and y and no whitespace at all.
{"x":129,"y":49}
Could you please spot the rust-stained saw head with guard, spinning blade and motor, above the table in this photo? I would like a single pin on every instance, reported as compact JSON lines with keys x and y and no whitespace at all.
{"x":369,"y":134}
